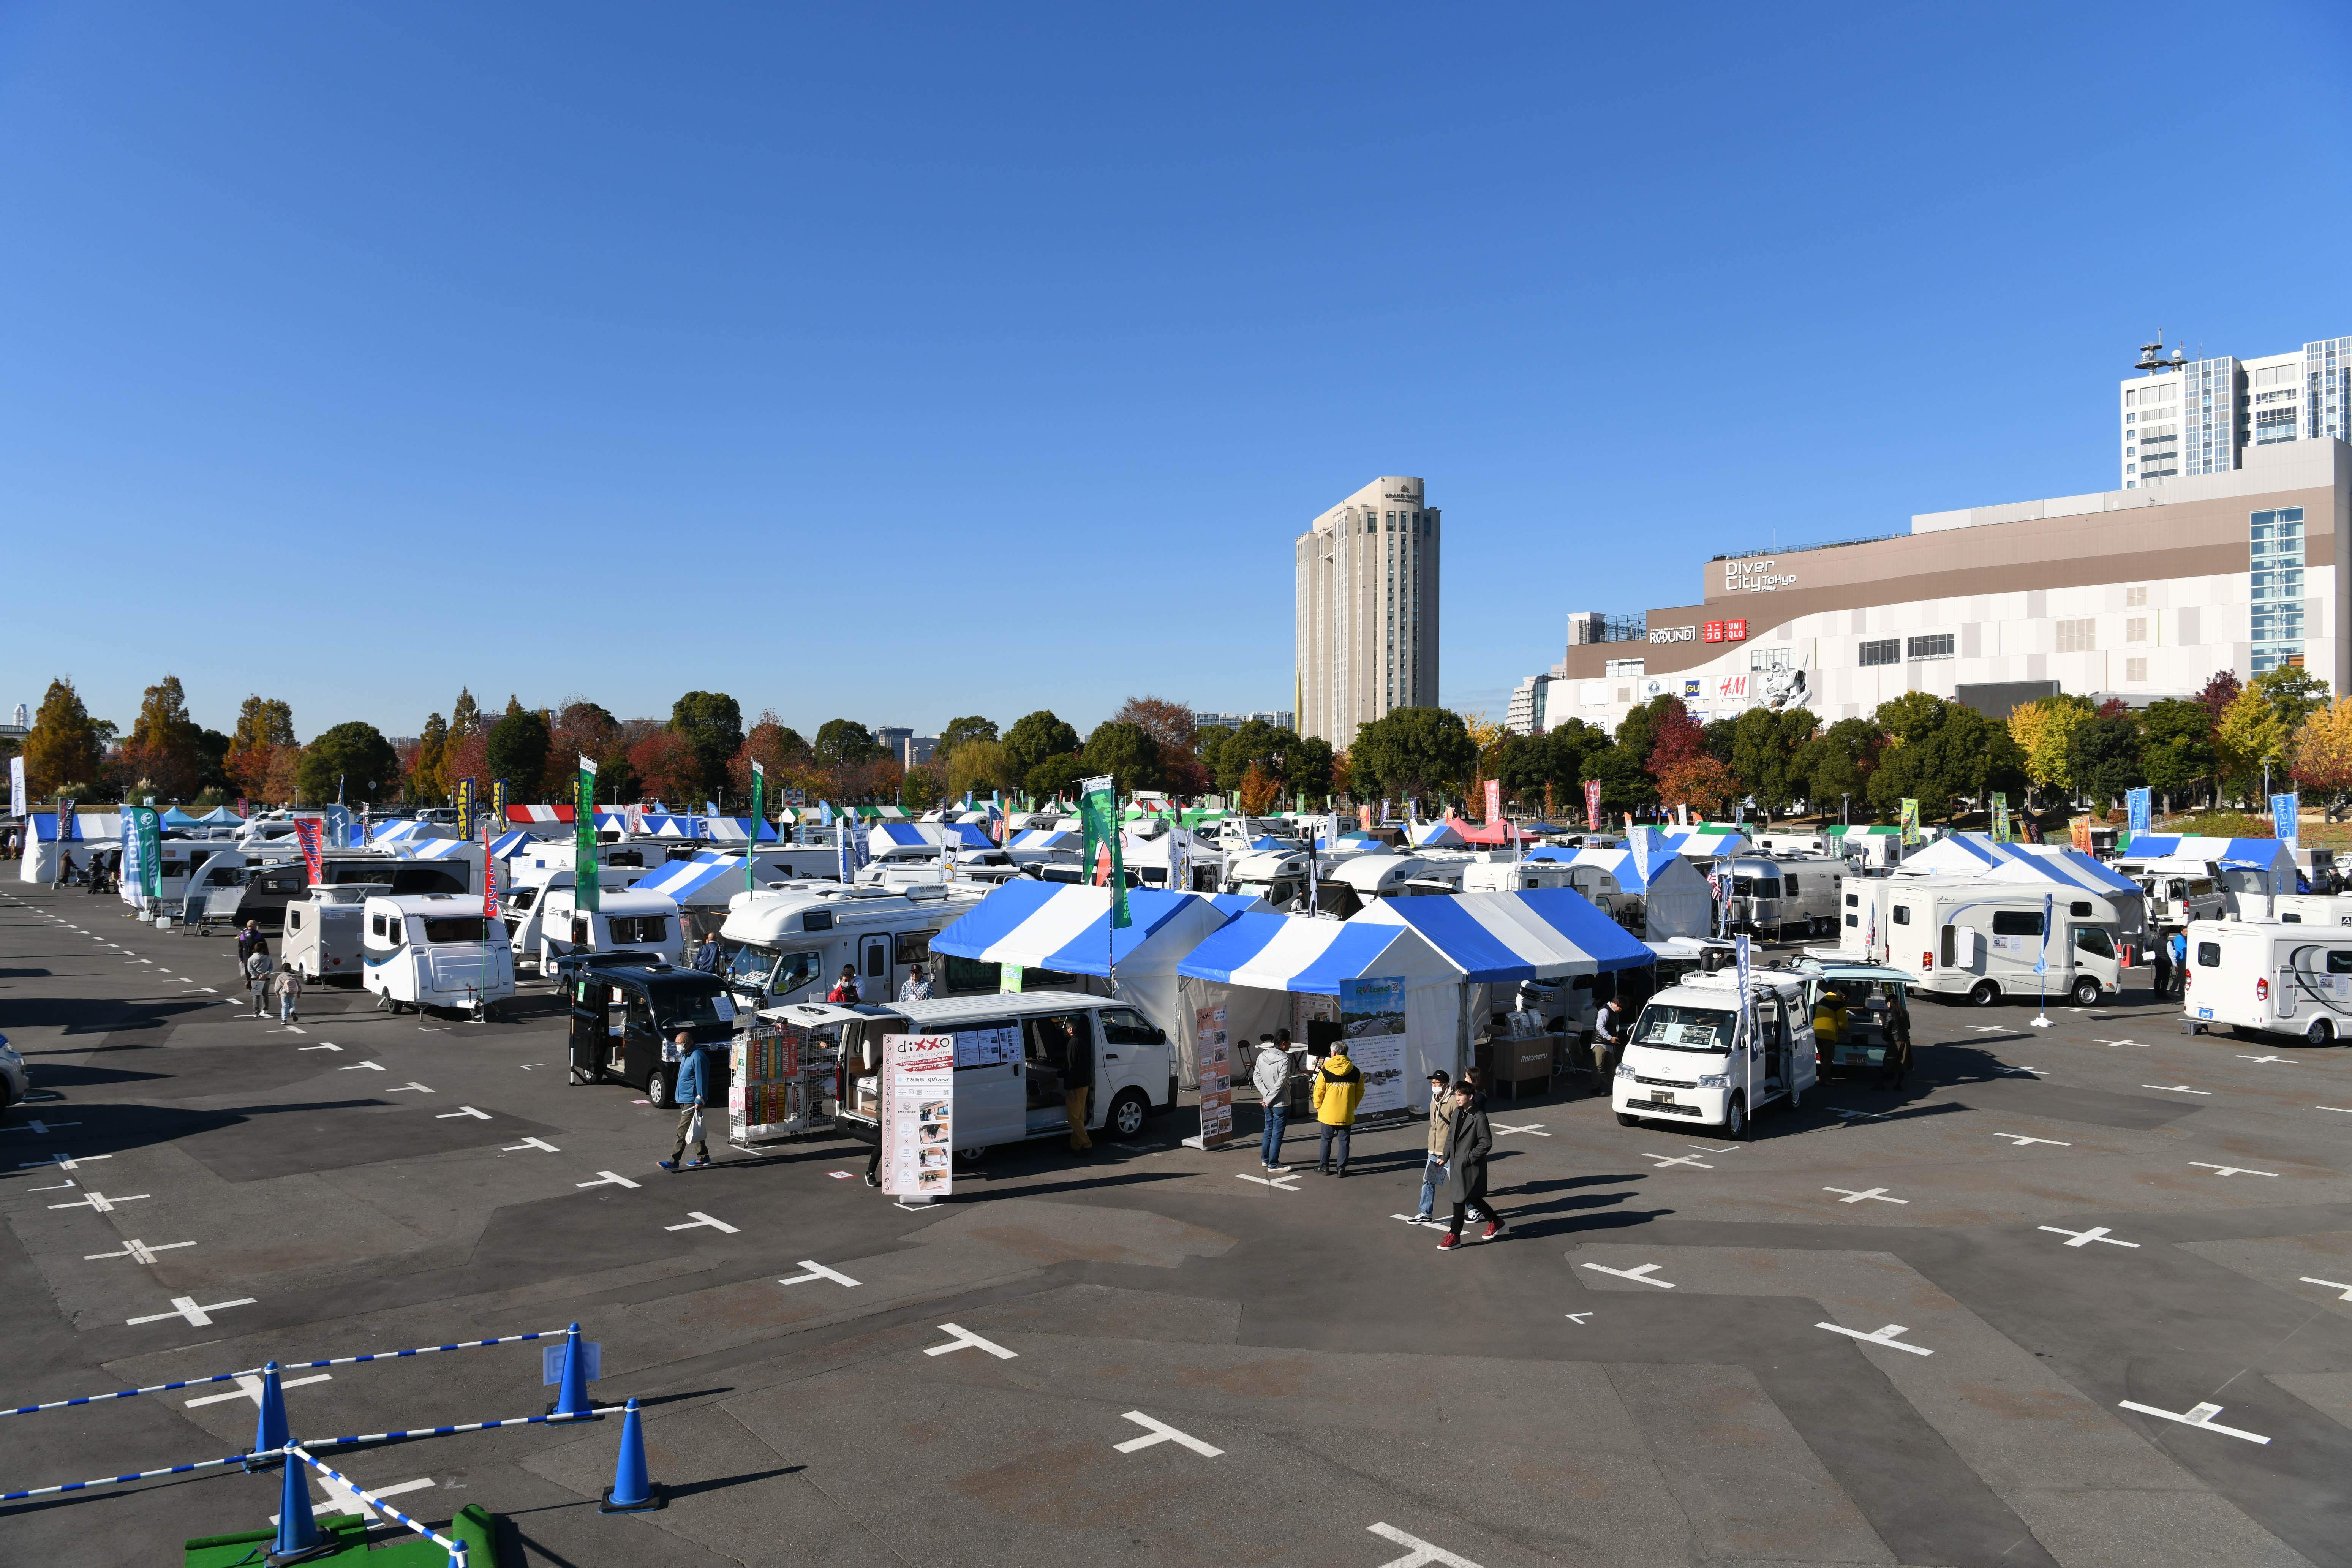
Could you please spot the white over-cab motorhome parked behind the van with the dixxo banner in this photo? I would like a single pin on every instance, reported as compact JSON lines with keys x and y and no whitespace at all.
{"x":791,"y":944}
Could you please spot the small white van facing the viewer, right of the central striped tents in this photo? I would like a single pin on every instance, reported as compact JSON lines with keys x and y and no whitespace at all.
{"x":1692,"y":1057}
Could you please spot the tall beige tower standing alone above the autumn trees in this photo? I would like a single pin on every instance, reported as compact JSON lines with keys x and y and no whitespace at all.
{"x":1368,"y":610}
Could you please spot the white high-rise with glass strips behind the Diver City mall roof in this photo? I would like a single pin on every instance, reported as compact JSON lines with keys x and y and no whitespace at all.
{"x":2196,"y":417}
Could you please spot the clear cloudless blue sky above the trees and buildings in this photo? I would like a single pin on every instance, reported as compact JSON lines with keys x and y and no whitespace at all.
{"x":937,"y":361}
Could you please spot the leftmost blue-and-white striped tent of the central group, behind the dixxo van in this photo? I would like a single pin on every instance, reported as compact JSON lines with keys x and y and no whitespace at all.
{"x":1064,"y":927}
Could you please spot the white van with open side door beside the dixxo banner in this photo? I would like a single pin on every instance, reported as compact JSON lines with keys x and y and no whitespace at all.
{"x":1010,"y":1061}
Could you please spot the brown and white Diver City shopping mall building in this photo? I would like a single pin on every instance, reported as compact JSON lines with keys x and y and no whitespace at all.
{"x":2137,"y":594}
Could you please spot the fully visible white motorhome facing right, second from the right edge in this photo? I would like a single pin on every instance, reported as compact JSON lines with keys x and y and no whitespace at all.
{"x":1975,"y":939}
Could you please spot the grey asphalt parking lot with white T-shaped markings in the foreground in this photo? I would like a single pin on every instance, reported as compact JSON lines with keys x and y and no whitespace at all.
{"x":2073,"y":1296}
